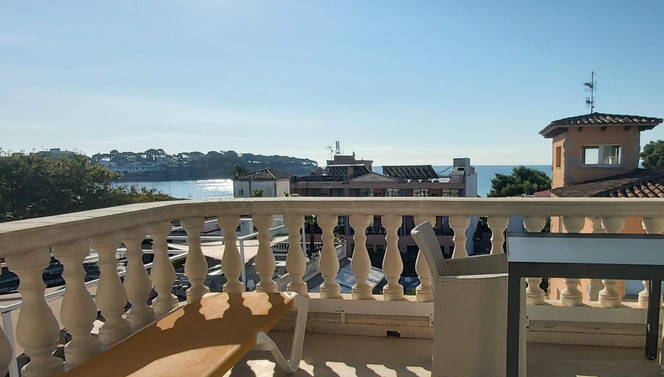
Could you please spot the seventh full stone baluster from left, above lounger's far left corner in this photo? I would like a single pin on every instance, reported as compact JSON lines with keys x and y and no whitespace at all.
{"x":231,"y":262}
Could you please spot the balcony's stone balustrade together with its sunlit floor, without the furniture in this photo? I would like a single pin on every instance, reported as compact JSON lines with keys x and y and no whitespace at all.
{"x":567,"y":329}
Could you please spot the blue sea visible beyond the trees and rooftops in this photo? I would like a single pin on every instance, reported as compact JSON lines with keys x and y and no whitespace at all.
{"x":223,"y":188}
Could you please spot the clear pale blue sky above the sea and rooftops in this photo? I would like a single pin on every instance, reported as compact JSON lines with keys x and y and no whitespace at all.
{"x":398,"y":82}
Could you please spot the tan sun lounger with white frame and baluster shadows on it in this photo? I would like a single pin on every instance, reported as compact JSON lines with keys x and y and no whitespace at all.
{"x":204,"y":338}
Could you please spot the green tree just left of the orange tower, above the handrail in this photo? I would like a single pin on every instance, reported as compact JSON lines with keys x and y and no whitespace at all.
{"x":523,"y":180}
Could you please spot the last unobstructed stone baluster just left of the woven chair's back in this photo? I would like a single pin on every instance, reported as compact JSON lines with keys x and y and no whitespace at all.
{"x":392,"y":263}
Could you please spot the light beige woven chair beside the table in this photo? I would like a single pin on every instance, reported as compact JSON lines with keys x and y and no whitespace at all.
{"x":470,"y":310}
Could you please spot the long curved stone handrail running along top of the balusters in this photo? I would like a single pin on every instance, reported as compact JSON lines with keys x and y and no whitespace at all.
{"x":43,"y":232}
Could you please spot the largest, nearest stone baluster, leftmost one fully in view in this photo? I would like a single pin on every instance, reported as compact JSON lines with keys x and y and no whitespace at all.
{"x":37,"y":330}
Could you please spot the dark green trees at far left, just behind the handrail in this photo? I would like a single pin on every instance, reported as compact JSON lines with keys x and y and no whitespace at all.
{"x":37,"y":185}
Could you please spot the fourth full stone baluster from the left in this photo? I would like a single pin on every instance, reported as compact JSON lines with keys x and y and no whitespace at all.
{"x":137,"y":280}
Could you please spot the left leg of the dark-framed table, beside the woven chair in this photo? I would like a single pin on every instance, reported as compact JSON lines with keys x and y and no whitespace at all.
{"x":513,"y":324}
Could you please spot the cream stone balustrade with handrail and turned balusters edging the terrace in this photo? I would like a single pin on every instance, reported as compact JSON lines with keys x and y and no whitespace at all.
{"x":25,"y":246}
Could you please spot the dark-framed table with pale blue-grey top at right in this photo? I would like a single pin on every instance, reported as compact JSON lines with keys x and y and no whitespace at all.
{"x":603,"y":256}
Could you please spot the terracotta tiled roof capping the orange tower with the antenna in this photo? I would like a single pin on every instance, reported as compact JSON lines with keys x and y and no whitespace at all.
{"x":559,"y":126}
